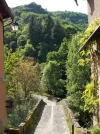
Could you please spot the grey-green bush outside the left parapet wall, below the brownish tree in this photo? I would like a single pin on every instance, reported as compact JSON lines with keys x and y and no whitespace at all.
{"x":19,"y":114}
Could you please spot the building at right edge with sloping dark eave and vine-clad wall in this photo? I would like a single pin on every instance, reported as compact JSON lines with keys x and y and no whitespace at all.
{"x":93,"y":13}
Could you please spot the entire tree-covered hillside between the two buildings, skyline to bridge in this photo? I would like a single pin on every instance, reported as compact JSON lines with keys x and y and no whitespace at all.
{"x":42,"y":57}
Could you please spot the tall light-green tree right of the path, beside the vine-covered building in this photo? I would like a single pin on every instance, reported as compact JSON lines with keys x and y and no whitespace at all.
{"x":77,"y":78}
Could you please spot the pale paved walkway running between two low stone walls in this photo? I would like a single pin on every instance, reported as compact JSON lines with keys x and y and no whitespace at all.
{"x":52,"y":120}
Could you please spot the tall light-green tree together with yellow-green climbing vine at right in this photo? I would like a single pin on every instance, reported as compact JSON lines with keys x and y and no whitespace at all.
{"x":82,"y":92}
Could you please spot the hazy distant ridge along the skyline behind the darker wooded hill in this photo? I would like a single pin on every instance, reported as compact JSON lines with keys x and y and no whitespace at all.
{"x":67,"y":17}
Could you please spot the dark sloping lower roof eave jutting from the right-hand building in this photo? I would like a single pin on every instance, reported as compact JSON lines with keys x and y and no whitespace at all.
{"x":94,"y":36}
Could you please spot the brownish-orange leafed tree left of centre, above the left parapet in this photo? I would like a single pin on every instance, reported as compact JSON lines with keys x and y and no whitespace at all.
{"x":26,"y":78}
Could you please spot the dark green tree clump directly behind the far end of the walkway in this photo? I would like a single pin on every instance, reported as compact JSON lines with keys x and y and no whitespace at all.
{"x":53,"y":79}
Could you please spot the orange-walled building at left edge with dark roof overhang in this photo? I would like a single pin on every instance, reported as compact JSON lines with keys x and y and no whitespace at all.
{"x":4,"y":14}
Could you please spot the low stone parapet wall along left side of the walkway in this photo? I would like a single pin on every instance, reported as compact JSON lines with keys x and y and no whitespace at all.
{"x":29,"y":125}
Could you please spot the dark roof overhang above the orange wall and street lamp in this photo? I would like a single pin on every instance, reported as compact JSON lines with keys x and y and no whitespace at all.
{"x":5,"y":10}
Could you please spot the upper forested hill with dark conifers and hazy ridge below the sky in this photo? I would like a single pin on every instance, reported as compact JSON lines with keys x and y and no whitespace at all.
{"x":40,"y":31}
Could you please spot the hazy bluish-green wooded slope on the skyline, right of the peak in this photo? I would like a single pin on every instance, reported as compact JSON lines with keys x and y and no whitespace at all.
{"x":79,"y":20}
